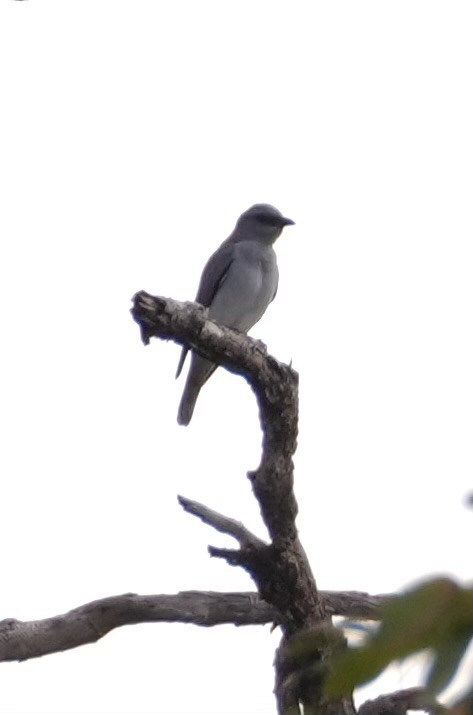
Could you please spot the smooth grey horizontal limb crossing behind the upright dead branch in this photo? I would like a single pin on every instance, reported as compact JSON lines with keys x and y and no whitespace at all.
{"x":21,"y":640}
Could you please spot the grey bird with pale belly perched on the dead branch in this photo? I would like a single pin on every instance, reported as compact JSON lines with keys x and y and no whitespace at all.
{"x":238,"y":283}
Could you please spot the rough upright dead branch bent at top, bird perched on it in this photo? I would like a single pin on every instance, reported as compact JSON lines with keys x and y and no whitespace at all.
{"x":280,"y":569}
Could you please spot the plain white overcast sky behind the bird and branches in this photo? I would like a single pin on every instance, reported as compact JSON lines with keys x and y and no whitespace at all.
{"x":132,"y":135}
